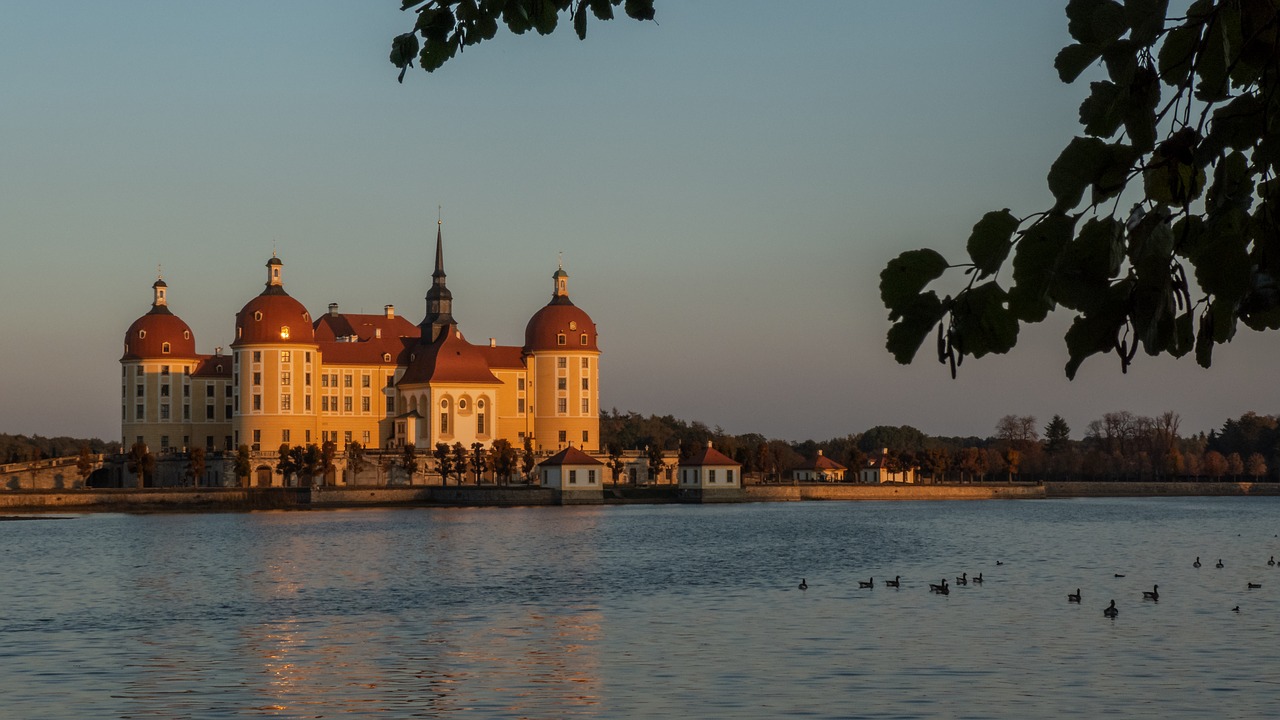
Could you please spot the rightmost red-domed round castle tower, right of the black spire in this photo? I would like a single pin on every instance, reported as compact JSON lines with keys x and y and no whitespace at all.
{"x":564,"y":368}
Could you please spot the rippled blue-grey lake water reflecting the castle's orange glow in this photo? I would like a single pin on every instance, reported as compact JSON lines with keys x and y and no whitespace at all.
{"x":646,"y":612}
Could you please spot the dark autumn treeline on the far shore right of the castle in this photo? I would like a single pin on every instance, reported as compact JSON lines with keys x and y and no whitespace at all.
{"x":1119,"y":446}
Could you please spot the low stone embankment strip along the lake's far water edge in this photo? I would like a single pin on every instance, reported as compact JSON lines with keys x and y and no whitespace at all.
{"x":231,"y":500}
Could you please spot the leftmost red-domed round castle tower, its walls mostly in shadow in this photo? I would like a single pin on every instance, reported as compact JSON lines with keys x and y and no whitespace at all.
{"x":156,"y":377}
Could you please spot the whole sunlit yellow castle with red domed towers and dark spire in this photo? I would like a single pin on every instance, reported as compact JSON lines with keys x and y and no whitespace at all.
{"x":376,"y":380}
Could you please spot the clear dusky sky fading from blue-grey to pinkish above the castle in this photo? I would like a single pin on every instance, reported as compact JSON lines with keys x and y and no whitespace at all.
{"x":725,"y":186}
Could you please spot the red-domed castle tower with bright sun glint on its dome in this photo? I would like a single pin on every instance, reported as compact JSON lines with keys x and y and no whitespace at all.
{"x":276,"y":368}
